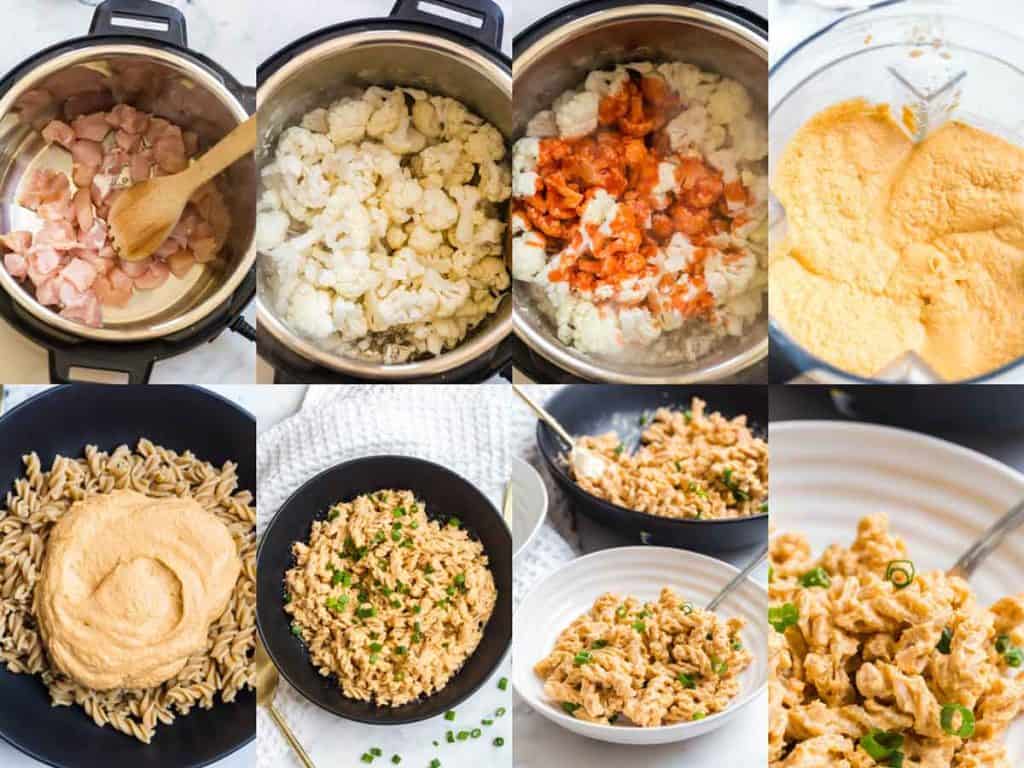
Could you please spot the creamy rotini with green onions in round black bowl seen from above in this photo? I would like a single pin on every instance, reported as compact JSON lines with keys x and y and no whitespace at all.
{"x":391,"y":603}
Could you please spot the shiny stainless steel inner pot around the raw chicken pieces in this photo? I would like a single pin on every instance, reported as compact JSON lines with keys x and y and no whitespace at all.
{"x":96,"y":79}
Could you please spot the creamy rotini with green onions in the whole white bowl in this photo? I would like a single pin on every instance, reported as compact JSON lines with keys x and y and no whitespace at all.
{"x":647,"y":664}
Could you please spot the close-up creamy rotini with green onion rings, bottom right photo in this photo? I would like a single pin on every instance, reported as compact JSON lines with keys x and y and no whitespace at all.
{"x":874,"y":664}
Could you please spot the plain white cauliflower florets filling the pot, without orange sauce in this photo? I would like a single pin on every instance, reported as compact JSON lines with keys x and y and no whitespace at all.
{"x":362,"y":206}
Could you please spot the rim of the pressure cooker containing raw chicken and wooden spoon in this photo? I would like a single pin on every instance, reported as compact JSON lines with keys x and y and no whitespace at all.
{"x":225,"y":296}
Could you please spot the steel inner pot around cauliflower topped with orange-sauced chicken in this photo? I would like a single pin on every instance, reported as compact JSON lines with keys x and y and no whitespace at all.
{"x":566,"y":64}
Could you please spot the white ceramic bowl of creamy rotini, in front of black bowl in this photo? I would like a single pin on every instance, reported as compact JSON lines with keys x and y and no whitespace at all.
{"x":641,"y":572}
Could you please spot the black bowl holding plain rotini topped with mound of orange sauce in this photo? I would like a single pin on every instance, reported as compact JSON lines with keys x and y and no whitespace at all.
{"x":64,"y":420}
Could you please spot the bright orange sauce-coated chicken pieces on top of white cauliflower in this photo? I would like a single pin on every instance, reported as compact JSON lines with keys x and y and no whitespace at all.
{"x":623,"y":159}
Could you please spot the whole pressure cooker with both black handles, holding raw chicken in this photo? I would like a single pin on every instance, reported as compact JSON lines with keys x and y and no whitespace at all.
{"x":152,"y":70}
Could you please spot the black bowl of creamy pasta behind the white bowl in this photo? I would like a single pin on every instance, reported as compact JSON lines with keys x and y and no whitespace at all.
{"x":589,"y":409}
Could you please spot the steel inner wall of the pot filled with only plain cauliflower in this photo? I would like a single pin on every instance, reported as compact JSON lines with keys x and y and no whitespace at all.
{"x":345,"y":67}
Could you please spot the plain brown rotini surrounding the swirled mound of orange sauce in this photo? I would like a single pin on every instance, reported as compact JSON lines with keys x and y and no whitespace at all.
{"x":41,"y":498}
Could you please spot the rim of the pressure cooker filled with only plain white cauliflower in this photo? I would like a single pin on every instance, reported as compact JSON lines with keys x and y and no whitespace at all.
{"x":482,"y":340}
